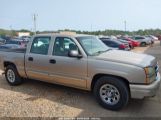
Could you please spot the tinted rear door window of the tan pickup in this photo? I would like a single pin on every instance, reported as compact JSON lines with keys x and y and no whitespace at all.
{"x":40,"y":45}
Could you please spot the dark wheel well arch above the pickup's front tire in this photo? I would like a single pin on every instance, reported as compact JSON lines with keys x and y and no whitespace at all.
{"x":96,"y":77}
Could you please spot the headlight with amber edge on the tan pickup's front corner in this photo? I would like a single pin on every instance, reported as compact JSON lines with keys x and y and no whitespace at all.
{"x":150,"y":72}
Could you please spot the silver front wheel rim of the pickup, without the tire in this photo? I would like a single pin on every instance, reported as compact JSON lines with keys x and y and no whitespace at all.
{"x":109,"y":94}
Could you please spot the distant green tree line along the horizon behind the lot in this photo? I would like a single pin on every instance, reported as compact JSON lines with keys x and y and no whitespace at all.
{"x":155,"y":32}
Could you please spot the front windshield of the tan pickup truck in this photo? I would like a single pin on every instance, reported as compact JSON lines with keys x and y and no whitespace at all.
{"x":92,"y":45}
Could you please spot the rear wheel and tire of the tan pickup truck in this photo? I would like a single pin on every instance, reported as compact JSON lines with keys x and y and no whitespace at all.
{"x":12,"y":76}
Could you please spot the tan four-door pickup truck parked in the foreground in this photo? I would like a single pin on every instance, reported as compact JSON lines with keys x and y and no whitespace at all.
{"x":84,"y":62}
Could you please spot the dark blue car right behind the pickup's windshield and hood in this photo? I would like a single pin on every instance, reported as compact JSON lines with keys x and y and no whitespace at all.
{"x":114,"y":44}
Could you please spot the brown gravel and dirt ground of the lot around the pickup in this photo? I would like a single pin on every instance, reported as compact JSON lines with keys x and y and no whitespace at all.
{"x":39,"y":99}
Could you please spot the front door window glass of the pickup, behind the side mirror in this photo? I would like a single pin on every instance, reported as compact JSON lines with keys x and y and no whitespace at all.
{"x":63,"y":45}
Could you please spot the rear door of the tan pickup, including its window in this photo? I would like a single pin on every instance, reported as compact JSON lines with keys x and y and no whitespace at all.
{"x":37,"y":59}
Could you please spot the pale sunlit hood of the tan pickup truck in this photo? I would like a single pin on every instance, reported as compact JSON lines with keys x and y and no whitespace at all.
{"x":126,"y":57}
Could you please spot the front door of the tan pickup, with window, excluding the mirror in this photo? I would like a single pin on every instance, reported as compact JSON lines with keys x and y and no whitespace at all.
{"x":64,"y":69}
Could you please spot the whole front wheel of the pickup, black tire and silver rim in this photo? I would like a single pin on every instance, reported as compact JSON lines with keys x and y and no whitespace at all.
{"x":114,"y":100}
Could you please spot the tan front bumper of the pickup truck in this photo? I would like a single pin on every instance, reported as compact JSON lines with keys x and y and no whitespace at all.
{"x":141,"y":91}
